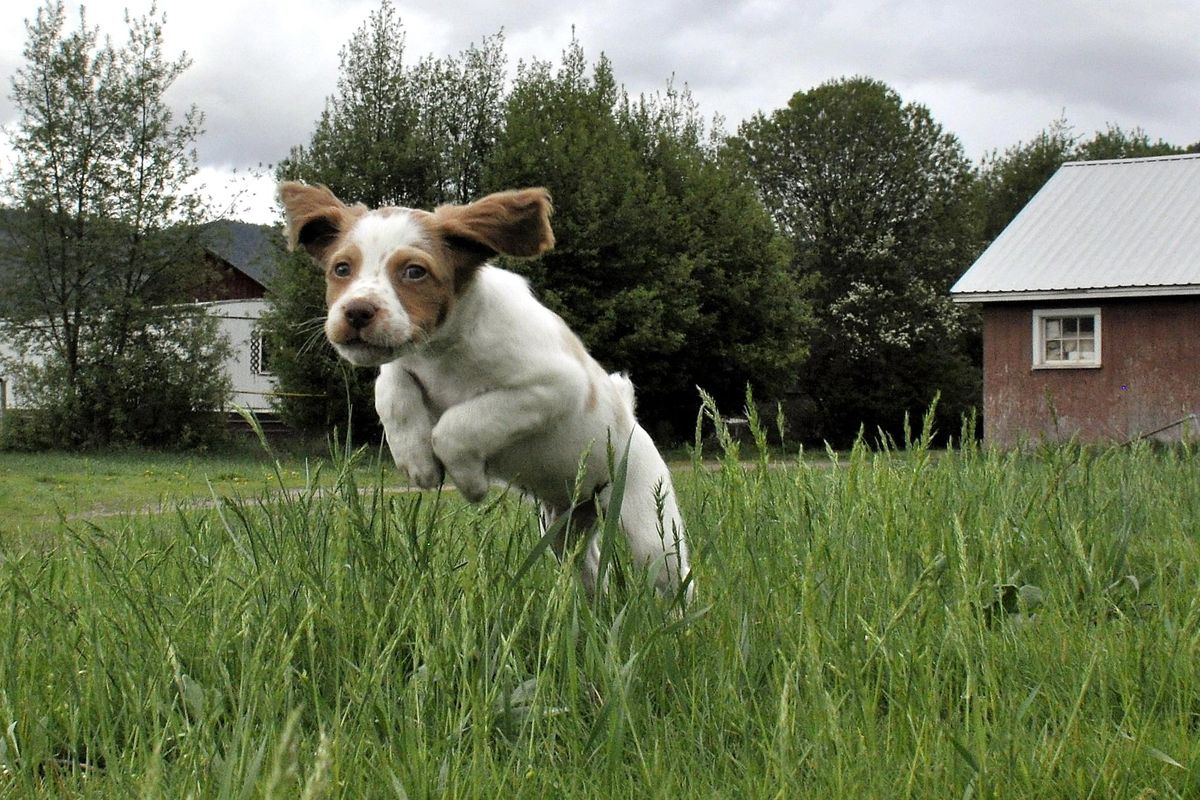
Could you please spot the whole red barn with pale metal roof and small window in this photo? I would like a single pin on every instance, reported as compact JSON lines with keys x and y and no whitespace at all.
{"x":1091,"y":306}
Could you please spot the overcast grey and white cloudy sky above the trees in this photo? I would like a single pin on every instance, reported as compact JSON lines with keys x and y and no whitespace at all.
{"x":993,"y":74}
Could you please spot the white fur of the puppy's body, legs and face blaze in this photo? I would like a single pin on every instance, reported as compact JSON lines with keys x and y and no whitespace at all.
{"x":505,"y":392}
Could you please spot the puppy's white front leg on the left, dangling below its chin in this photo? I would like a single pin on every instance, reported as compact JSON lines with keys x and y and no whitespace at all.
{"x":409,"y":425}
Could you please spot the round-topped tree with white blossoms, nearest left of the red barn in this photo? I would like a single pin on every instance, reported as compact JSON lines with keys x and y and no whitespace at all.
{"x":877,"y":200}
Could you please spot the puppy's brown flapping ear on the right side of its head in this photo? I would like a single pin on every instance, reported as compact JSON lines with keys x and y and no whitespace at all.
{"x":506,"y":224}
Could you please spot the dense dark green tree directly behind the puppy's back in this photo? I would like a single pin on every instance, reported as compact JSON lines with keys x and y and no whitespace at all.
{"x":665,"y":262}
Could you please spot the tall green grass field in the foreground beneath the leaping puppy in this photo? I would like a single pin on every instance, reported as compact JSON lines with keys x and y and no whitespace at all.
{"x":973,"y":625}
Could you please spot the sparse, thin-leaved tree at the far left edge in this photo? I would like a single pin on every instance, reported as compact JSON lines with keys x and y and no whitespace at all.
{"x":105,"y":246}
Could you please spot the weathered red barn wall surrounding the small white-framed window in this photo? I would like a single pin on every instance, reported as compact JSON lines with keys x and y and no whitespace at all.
{"x":1150,"y":375}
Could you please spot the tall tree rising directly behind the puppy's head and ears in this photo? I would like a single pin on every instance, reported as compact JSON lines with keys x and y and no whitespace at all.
{"x":393,"y":135}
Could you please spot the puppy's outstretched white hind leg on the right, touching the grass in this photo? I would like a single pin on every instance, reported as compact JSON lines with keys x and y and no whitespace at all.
{"x":650,"y":516}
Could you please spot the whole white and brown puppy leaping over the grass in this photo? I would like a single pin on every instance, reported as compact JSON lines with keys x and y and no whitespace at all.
{"x":478,"y":381}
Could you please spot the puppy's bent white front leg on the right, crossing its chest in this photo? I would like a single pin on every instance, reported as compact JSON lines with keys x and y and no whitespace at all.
{"x":472,"y":432}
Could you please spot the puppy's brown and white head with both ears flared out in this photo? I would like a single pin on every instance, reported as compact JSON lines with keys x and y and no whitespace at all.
{"x":394,"y":275}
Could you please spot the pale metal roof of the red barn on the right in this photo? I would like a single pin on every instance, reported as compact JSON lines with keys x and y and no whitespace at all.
{"x":1099,"y":230}
